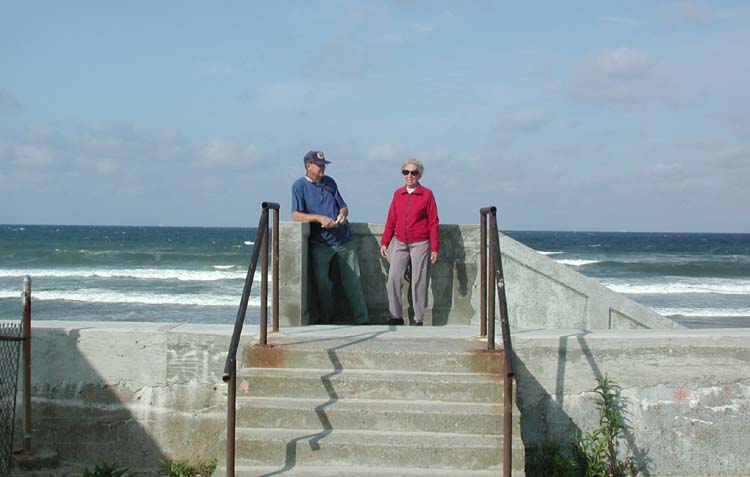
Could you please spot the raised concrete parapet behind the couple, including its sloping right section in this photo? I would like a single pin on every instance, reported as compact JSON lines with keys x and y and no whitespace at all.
{"x":541,"y":293}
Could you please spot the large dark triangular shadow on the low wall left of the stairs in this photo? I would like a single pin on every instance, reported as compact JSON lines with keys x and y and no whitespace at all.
{"x":78,"y":413}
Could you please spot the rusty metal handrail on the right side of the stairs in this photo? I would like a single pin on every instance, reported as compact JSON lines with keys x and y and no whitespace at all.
{"x":487,"y":319}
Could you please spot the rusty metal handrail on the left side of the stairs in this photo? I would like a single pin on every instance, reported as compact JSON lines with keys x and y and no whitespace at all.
{"x":260,"y":249}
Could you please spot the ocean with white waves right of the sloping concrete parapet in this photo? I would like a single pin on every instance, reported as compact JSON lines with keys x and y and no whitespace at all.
{"x":697,"y":276}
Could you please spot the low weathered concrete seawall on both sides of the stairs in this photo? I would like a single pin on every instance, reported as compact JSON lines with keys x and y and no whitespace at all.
{"x":135,"y":393}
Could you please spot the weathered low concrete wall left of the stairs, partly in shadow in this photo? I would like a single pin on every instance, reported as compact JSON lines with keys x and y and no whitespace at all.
{"x":131,"y":393}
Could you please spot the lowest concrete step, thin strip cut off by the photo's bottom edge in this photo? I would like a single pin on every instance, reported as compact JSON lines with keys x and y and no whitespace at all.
{"x":358,"y":471}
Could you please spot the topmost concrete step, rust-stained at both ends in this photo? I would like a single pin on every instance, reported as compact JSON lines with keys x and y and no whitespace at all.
{"x":447,"y":356}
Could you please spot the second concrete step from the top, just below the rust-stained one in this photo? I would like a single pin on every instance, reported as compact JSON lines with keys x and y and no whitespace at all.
{"x":370,"y":384}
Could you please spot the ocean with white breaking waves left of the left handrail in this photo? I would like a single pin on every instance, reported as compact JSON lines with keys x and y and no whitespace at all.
{"x":158,"y":274}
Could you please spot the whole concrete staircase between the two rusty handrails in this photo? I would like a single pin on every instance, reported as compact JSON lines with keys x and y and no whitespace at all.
{"x":371,"y":404}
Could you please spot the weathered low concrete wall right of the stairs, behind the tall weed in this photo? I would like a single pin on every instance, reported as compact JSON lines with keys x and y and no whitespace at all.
{"x":687,"y":392}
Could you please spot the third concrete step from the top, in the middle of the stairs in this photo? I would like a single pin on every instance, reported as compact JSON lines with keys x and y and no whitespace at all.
{"x":363,"y":414}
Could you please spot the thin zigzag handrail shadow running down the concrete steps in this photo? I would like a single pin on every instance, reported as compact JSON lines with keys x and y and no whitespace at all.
{"x":314,"y":439}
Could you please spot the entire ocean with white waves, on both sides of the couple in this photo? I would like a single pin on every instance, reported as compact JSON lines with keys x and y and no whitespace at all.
{"x":196,"y":275}
